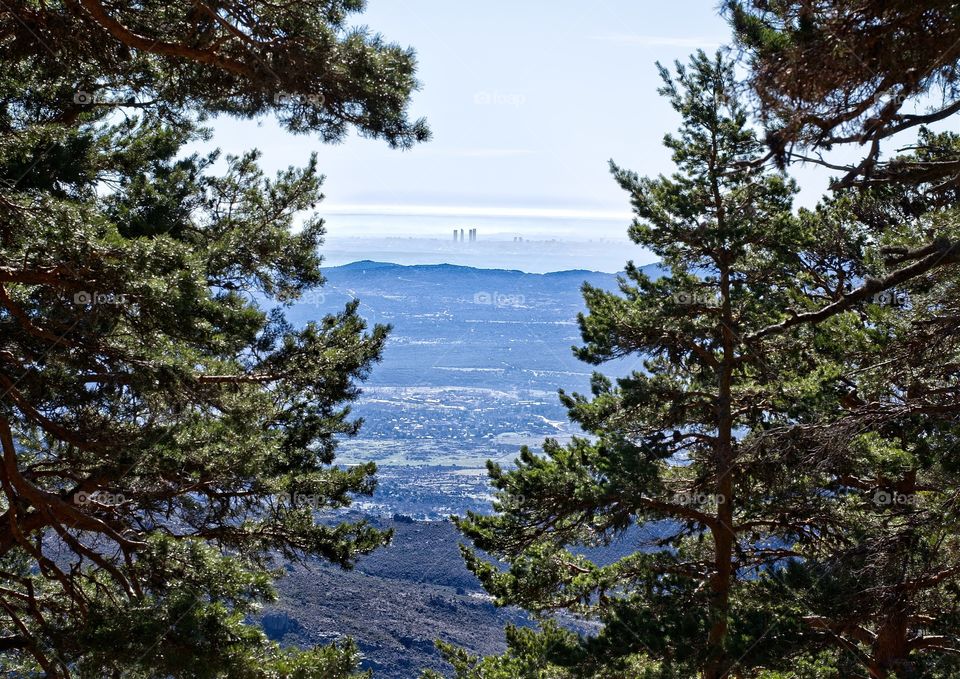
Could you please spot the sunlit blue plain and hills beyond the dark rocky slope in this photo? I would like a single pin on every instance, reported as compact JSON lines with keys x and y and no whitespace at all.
{"x":470,"y":373}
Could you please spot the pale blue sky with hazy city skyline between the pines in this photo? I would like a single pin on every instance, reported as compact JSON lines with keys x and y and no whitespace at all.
{"x":527,"y":101}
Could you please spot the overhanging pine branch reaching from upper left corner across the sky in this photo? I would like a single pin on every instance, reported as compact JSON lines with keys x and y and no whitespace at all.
{"x":302,"y":62}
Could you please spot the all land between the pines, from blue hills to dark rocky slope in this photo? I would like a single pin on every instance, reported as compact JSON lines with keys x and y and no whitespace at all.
{"x":471,"y":372}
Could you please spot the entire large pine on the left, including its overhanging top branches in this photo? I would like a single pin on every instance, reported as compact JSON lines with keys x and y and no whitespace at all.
{"x":167,"y":436}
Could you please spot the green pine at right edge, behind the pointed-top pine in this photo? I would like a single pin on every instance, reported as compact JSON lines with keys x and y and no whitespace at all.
{"x":879,"y":583}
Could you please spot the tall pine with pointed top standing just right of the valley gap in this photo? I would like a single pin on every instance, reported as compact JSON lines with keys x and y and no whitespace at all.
{"x":668,"y":445}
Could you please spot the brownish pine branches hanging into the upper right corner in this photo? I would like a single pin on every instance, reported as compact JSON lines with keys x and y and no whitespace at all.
{"x":861,"y":74}
